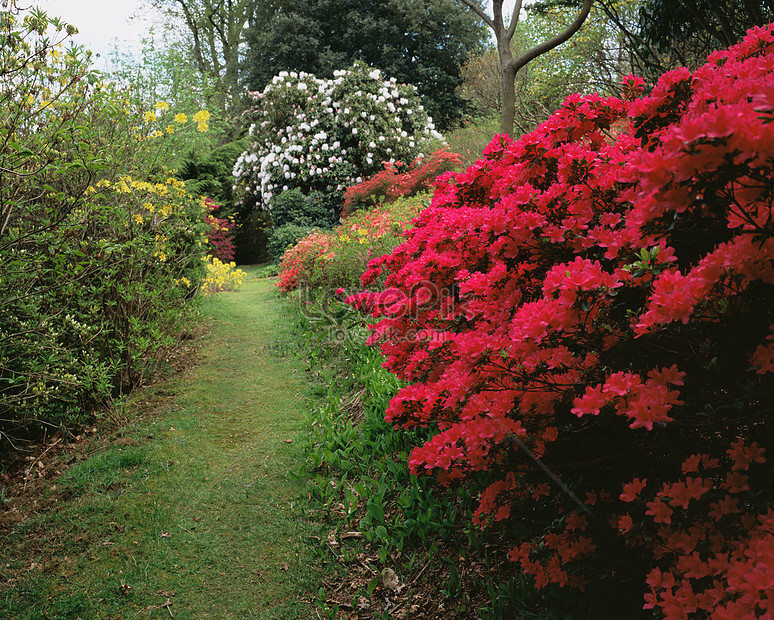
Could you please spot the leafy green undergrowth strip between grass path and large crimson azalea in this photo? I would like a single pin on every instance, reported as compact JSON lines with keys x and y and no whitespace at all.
{"x":403,"y":546}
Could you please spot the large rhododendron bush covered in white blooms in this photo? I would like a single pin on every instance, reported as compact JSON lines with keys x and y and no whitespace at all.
{"x":325,"y":135}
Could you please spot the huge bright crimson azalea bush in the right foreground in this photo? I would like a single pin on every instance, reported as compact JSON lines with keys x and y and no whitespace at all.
{"x":586,"y":315}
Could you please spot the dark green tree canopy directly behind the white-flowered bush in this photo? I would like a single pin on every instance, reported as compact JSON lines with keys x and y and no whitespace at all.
{"x":418,"y":42}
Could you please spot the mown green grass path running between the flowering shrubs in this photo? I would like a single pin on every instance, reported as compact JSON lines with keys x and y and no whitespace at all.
{"x":201,"y":509}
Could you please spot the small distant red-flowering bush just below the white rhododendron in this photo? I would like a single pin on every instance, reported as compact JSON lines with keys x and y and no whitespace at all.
{"x":392,"y":183}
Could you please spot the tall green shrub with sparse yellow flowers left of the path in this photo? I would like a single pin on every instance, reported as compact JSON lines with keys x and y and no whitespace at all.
{"x":97,"y":261}
